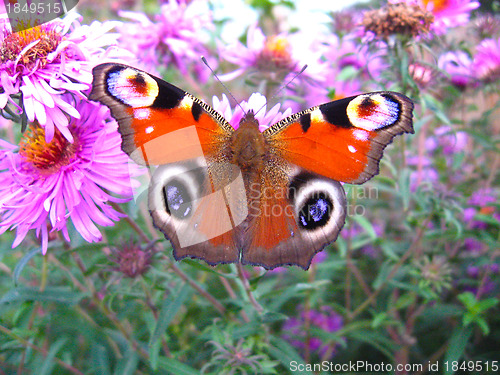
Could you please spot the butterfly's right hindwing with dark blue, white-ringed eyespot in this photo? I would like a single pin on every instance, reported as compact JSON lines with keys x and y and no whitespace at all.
{"x":294,"y":219}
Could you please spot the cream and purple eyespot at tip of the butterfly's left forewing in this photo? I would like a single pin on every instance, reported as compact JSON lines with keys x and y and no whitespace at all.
{"x":132,"y":87}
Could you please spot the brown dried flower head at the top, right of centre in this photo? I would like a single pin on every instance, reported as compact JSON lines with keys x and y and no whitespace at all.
{"x":401,"y":18}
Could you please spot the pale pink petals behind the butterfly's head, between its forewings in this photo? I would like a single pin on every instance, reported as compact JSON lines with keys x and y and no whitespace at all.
{"x":258,"y":103}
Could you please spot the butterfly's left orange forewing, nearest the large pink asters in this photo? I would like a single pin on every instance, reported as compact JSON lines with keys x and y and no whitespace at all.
{"x":159,"y":122}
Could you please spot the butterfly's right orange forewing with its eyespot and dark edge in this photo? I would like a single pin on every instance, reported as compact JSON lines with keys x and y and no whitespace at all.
{"x":344,"y":139}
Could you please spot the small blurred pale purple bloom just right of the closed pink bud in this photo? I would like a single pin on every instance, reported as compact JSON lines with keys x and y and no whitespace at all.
{"x":457,"y":65}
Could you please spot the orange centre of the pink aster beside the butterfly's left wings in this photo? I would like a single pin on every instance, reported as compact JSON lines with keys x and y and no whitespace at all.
{"x":46,"y":158}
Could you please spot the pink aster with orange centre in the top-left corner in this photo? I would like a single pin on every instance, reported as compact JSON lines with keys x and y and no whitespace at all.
{"x":43,"y":63}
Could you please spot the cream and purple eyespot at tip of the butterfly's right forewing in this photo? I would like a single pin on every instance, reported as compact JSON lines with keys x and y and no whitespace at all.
{"x":373,"y":111}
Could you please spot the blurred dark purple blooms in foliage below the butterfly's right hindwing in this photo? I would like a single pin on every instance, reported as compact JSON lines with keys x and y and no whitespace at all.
{"x":325,"y":319}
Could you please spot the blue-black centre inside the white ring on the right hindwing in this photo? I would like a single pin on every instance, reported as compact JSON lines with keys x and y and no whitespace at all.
{"x":316,"y":211}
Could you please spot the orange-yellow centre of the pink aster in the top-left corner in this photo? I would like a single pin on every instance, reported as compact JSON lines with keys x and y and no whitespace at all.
{"x":13,"y":44}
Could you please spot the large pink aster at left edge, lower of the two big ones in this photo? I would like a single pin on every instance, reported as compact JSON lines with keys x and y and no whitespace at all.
{"x":45,"y":185}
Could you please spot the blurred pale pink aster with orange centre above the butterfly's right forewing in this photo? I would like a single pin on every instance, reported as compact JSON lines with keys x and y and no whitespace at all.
{"x":275,"y":57}
